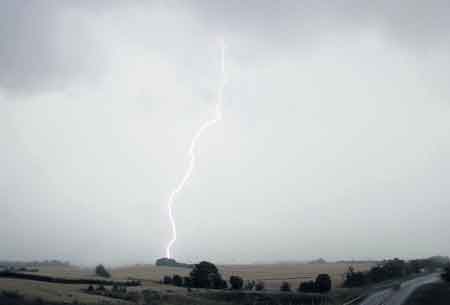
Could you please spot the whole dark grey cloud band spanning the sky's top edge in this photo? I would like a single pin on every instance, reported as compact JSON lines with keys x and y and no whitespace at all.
{"x":47,"y":45}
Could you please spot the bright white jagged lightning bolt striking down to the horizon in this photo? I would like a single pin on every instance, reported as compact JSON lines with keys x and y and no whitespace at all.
{"x":217,"y":117}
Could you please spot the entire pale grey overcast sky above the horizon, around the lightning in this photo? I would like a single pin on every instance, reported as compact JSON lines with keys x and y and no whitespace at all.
{"x":334,"y":141}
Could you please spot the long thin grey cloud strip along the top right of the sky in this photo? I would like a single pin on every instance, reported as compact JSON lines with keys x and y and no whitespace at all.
{"x":413,"y":22}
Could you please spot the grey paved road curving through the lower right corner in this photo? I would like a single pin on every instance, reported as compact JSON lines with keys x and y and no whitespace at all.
{"x":398,"y":296}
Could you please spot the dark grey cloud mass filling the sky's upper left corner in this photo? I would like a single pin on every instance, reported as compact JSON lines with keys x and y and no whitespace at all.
{"x":44,"y":46}
